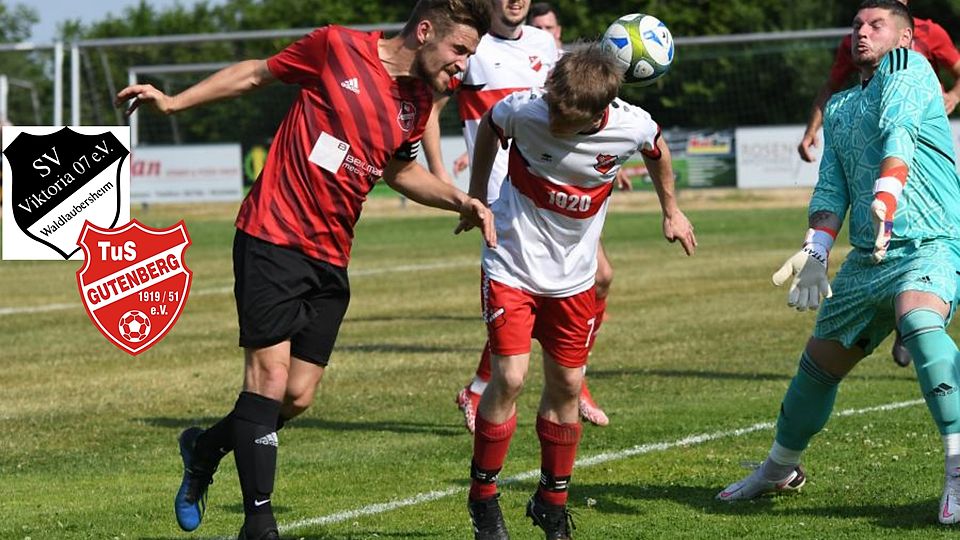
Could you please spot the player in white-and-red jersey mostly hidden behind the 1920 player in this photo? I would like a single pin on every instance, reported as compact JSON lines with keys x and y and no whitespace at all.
{"x":511,"y":57}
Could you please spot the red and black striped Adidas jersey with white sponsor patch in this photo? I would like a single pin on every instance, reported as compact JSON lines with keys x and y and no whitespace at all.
{"x":348,"y":121}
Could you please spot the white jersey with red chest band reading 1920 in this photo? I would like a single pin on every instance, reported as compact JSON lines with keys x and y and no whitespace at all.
{"x":554,"y":200}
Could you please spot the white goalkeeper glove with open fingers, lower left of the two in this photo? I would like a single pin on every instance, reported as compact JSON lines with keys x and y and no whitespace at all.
{"x":808,"y":267}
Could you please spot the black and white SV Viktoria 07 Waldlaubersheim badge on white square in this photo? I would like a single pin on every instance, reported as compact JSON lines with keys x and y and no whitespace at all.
{"x":54,"y":180}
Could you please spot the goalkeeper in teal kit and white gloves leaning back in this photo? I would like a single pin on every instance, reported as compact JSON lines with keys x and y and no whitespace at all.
{"x":888,"y":160}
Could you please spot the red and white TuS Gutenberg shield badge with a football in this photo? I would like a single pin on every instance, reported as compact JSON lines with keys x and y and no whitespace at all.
{"x":134,"y":281}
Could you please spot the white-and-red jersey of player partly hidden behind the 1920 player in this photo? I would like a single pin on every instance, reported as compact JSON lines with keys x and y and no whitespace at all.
{"x":499,"y":68}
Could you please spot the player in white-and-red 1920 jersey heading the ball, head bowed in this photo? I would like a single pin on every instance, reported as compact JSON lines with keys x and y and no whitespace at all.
{"x":539,"y":281}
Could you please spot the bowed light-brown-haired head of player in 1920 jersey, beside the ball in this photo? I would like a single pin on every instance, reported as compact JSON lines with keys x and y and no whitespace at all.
{"x":580,"y":88}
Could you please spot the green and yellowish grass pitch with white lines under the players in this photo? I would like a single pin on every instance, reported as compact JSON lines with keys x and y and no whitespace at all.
{"x":691,"y":367}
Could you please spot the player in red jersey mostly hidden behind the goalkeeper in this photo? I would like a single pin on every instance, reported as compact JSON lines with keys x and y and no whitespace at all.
{"x":929,"y":39}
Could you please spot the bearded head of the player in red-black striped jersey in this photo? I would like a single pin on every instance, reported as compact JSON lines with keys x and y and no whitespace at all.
{"x":446,"y":33}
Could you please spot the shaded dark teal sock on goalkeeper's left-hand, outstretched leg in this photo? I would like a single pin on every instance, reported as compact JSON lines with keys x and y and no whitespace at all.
{"x":806,"y":406}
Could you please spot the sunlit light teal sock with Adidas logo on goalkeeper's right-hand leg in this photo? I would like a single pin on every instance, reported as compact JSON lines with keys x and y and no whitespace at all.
{"x":935,"y":357}
